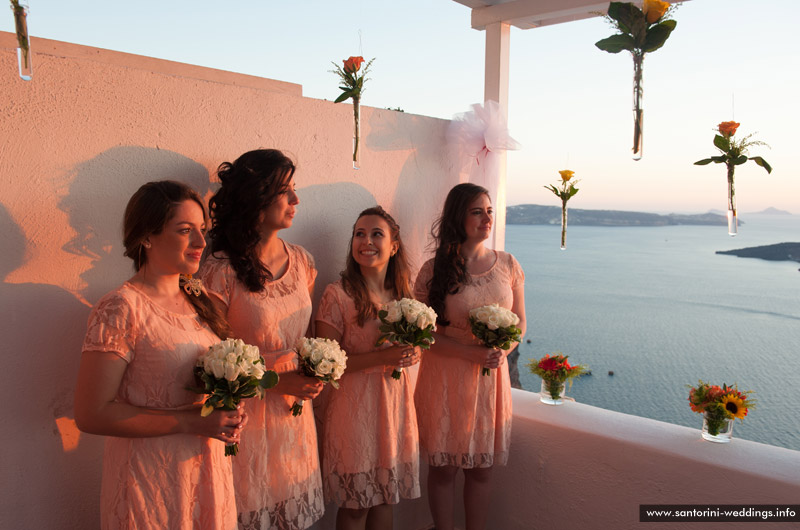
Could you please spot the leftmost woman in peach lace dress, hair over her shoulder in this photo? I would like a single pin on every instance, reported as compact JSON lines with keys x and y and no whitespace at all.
{"x":164,"y":464}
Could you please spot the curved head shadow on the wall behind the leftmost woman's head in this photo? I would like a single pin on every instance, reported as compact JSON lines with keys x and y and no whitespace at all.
{"x":98,"y":192}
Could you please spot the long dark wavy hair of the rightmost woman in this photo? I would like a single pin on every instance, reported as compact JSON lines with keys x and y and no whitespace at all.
{"x":449,"y":267}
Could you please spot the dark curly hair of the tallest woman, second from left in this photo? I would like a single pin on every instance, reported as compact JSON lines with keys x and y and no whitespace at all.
{"x":249,"y":185}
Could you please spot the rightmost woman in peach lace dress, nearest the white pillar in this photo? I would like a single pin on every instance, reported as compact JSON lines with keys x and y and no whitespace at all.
{"x":464,"y":416}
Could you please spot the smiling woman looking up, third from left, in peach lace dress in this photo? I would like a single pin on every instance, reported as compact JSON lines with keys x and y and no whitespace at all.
{"x":370,"y":448}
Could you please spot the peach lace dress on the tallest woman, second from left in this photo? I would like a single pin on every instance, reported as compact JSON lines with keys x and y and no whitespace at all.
{"x":276,"y":473}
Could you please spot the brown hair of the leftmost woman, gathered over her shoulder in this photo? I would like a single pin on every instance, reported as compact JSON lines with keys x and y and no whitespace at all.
{"x":148,"y":211}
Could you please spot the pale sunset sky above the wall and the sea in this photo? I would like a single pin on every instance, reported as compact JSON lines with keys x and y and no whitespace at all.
{"x":570,"y":103}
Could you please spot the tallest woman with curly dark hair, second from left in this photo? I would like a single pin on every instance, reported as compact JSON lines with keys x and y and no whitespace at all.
{"x":264,"y":287}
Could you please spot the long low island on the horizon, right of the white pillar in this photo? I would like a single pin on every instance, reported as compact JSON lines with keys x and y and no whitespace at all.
{"x":535,"y":214}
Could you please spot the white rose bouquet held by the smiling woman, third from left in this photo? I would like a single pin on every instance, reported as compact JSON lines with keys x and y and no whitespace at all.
{"x":407,"y":321}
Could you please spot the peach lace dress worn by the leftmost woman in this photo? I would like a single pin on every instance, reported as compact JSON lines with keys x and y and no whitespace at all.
{"x":181,"y":481}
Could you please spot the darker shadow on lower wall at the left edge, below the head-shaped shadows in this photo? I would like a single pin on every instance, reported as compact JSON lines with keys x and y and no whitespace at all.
{"x":48,"y":466}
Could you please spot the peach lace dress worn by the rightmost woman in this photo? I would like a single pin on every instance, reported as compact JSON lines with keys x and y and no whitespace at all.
{"x":465,"y":417}
